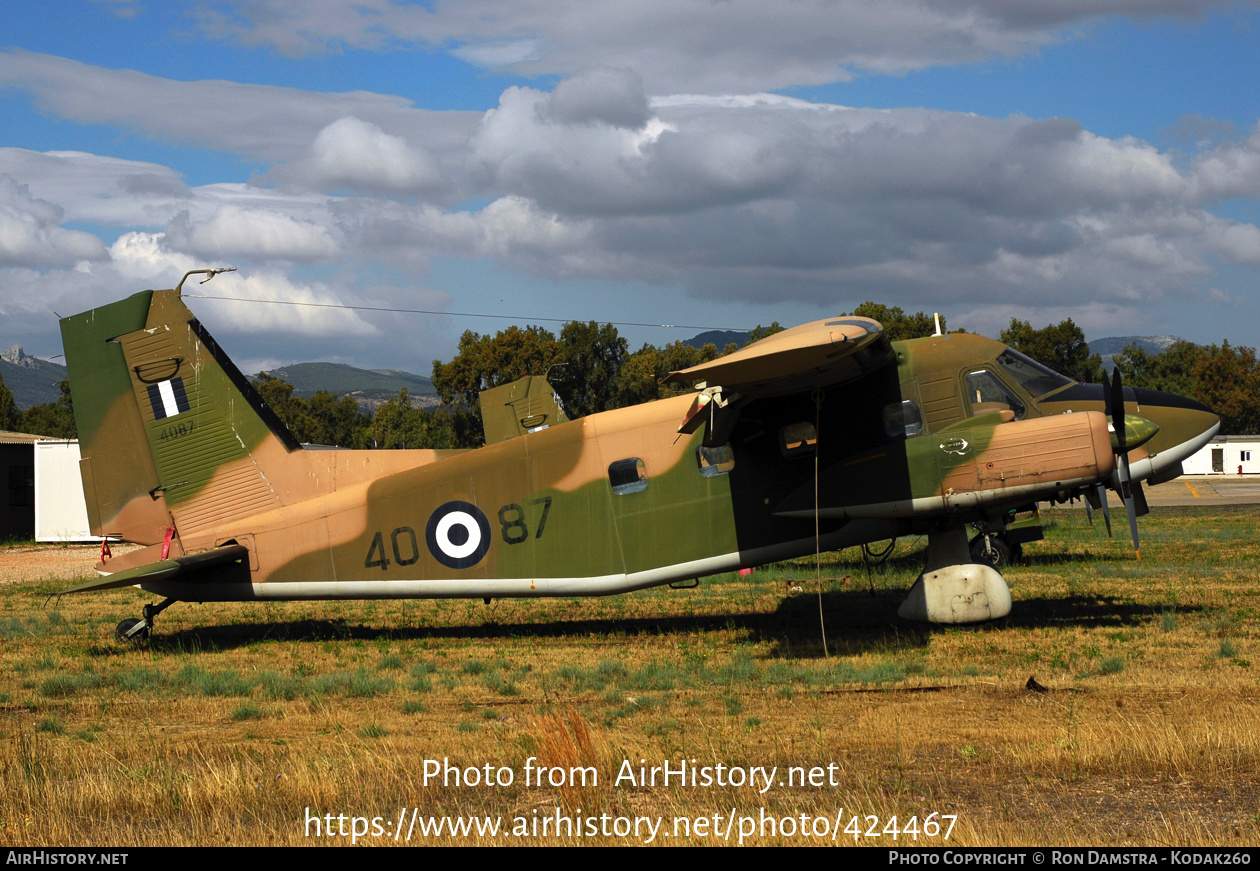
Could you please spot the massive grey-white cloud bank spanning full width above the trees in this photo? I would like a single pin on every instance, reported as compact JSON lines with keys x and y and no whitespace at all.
{"x":738,"y":199}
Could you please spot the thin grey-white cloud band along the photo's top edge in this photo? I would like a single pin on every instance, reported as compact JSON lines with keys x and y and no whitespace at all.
{"x":736,"y":46}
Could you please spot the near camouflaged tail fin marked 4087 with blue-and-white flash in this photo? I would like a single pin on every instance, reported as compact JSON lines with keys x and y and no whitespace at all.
{"x":169,"y":429}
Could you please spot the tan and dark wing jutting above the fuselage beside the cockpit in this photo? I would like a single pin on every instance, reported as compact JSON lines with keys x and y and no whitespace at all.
{"x":818,"y":355}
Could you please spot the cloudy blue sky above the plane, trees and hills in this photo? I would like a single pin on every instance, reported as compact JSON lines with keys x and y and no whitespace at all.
{"x":701,"y":164}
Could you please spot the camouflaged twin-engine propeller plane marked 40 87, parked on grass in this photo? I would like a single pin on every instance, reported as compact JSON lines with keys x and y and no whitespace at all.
{"x":826,"y":435}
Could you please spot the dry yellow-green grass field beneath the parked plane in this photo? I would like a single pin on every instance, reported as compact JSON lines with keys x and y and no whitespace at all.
{"x":240,"y":722}
